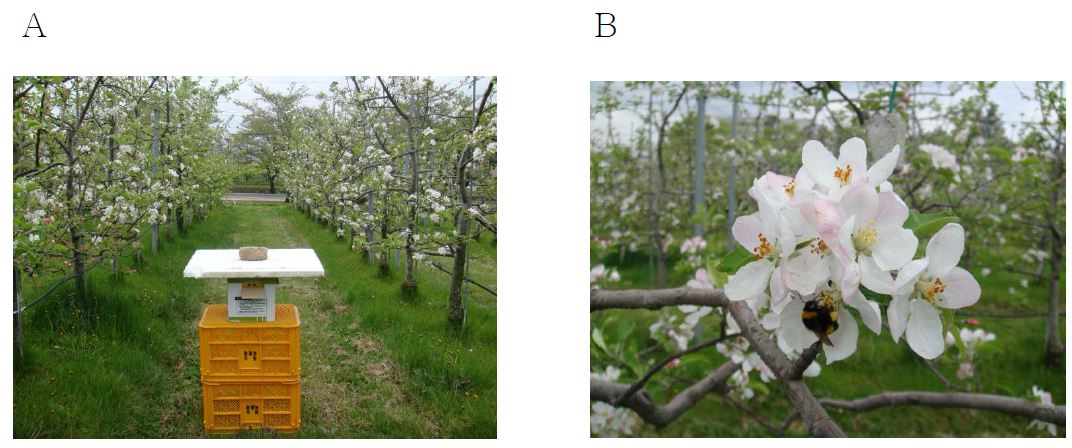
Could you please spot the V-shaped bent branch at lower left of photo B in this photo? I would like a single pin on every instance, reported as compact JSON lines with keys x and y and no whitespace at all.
{"x":661,"y":416}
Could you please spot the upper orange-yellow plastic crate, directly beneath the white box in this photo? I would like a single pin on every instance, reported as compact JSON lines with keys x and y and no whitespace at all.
{"x":245,"y":350}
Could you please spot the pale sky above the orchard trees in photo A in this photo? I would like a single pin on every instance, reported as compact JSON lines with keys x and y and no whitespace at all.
{"x":231,"y":111}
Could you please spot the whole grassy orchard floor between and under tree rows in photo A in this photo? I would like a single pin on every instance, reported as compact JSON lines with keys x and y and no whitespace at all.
{"x":375,"y":365}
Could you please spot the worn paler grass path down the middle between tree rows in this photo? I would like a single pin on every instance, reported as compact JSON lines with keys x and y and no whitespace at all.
{"x":350,"y":385}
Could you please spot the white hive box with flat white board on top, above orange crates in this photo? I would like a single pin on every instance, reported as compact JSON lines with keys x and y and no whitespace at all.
{"x":251,"y":286}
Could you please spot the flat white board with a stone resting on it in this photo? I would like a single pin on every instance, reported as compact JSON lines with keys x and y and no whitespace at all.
{"x":226,"y":264}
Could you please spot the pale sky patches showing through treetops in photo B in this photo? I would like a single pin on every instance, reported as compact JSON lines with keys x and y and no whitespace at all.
{"x":1007,"y":95}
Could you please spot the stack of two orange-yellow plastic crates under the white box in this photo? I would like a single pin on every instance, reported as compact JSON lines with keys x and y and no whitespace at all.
{"x":251,"y":372}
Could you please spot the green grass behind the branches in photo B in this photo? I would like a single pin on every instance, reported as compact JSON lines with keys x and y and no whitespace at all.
{"x":1010,"y":366}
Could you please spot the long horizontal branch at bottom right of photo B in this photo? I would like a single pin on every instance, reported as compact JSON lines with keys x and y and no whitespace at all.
{"x":959,"y":400}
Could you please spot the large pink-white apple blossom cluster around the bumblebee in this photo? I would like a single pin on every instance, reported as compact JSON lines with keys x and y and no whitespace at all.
{"x":837,"y":229}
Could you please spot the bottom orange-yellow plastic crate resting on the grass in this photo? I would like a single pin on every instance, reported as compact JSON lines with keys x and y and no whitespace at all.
{"x":251,"y":405}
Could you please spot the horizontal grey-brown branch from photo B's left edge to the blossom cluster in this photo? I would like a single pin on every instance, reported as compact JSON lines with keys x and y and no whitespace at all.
{"x":654,"y":300}
